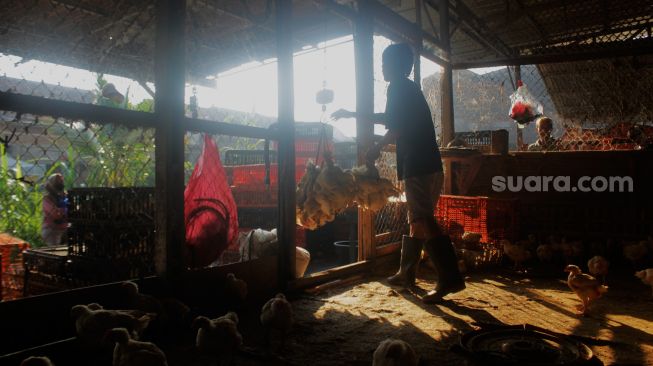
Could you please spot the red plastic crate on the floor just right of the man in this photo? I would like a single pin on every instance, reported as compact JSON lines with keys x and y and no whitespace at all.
{"x":493,"y":218}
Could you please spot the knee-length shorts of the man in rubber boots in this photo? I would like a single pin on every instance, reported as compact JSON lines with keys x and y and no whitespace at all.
{"x":422,"y":194}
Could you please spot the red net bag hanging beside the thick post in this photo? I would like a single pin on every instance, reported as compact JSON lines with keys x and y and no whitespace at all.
{"x":210,"y":211}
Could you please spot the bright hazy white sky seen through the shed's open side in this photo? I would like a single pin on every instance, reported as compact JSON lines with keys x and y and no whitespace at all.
{"x":251,"y":87}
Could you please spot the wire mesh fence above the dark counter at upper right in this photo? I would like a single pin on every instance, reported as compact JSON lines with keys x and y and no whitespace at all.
{"x":593,"y":104}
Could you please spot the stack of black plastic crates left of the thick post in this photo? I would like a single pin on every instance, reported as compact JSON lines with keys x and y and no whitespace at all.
{"x":112,"y":233}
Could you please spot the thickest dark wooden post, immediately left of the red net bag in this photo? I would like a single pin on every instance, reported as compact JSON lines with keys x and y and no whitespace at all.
{"x":169,"y":111}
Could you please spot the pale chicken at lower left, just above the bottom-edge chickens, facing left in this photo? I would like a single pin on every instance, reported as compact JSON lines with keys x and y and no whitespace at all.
{"x":92,"y":322}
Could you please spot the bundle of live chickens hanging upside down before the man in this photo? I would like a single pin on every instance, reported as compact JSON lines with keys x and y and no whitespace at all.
{"x":325,"y":191}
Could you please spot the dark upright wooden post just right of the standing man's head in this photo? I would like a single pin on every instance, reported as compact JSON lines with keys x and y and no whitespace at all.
{"x":446,"y":84}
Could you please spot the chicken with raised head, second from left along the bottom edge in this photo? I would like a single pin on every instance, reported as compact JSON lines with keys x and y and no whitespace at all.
{"x":128,"y":352}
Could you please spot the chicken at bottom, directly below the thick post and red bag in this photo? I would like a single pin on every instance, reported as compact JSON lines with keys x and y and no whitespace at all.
{"x":218,"y":338}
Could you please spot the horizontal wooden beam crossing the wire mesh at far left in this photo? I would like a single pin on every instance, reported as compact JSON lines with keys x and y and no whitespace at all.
{"x":78,"y":111}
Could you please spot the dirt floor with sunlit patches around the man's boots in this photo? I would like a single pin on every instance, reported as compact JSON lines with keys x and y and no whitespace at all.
{"x":343,"y":325}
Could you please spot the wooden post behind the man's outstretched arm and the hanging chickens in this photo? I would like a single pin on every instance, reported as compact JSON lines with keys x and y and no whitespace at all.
{"x":364,"y":63}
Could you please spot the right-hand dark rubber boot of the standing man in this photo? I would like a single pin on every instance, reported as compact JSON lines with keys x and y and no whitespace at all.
{"x":442,"y":253}
